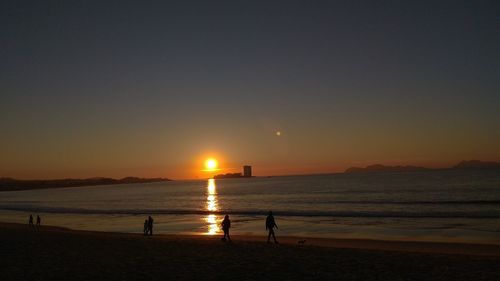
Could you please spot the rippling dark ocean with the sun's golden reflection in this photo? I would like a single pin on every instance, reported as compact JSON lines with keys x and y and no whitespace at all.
{"x":438,"y":205}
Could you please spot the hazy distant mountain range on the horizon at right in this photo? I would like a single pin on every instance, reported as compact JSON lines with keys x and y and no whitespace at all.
{"x":471,"y":164}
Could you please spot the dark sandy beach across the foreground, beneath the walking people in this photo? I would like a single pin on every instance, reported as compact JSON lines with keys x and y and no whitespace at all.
{"x":60,"y":254}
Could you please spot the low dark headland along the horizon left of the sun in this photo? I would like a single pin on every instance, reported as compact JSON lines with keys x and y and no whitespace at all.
{"x":15,"y":184}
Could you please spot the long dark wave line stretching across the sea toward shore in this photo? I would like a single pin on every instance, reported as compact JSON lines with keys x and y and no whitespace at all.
{"x":287,"y":213}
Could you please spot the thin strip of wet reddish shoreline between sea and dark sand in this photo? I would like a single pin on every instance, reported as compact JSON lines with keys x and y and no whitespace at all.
{"x":454,"y":248}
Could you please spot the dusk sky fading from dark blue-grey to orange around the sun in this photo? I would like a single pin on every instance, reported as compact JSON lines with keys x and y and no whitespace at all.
{"x":153,"y":88}
